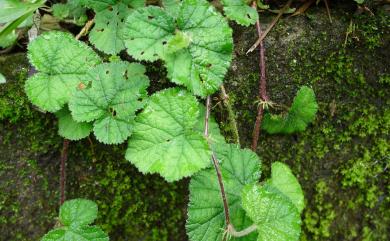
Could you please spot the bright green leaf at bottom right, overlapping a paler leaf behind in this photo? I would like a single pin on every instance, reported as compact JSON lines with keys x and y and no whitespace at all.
{"x":276,"y":217}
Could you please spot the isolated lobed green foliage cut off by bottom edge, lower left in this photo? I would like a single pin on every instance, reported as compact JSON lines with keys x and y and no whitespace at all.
{"x":76,"y":215}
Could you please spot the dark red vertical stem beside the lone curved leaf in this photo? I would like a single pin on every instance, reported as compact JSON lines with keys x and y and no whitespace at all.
{"x":262,"y":87}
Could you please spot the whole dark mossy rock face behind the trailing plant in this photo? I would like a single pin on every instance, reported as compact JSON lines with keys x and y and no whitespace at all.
{"x":341,"y":160}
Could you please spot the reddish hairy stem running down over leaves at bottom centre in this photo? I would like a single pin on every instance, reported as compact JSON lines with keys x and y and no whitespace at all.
{"x":216,"y":164}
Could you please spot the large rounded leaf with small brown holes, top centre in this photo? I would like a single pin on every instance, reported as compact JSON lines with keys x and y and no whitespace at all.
{"x":201,"y":60}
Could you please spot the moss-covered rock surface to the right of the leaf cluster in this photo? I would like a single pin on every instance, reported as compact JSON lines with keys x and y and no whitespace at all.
{"x":341,"y":159}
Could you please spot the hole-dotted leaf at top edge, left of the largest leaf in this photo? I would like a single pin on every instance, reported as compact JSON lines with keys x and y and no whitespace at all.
{"x":109,"y":22}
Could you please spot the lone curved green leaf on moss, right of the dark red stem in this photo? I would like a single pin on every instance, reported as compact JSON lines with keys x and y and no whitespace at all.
{"x":301,"y":113}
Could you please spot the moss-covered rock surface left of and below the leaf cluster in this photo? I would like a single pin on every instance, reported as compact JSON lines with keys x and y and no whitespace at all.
{"x":132,"y":206}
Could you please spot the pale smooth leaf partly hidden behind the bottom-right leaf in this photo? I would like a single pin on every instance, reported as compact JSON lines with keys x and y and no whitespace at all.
{"x":284,"y":180}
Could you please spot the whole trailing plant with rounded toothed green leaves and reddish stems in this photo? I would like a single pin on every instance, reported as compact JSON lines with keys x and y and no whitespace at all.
{"x":169,"y":132}
